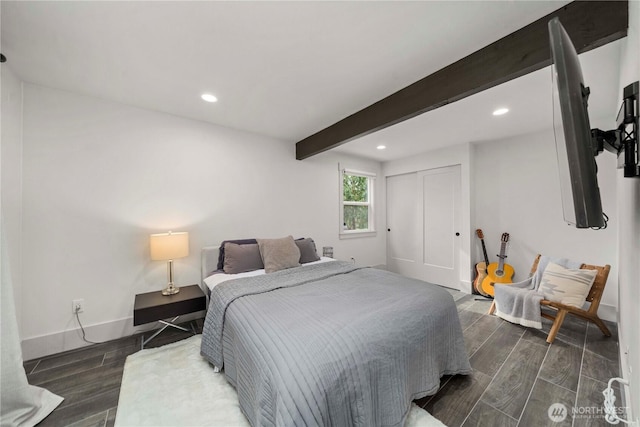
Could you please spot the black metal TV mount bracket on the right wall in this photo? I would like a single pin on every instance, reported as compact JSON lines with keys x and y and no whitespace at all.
{"x":622,"y":141}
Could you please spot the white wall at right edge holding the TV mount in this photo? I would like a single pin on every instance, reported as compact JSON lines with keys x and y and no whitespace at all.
{"x":629,"y":238}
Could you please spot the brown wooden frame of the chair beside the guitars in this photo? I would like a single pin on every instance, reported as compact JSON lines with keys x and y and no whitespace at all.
{"x":593,"y":298}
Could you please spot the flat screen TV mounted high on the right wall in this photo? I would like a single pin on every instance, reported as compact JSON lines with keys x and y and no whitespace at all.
{"x":575,"y":149}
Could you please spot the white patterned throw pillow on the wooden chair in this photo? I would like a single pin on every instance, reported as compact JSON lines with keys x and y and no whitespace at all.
{"x":566,"y":286}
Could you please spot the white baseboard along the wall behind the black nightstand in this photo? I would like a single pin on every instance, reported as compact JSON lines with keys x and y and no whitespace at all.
{"x":45,"y":345}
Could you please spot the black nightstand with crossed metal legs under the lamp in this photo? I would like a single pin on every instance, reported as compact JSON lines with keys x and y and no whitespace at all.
{"x":153,"y":306}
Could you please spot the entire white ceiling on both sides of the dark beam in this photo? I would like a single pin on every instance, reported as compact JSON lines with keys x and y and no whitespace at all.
{"x":289,"y":69}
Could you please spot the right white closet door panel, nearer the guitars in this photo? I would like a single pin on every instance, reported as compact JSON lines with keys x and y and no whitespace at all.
{"x":440,"y":225}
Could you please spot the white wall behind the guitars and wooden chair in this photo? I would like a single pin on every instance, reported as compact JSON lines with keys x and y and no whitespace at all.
{"x":517,"y":191}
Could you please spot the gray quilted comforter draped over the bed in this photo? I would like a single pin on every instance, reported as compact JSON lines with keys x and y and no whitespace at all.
{"x":331,"y":344}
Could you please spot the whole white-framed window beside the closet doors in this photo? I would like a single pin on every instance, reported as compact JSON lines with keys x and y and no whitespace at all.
{"x":356,"y":213}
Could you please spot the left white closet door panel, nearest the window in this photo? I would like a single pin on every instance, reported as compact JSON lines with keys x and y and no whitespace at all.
{"x":403,"y":218}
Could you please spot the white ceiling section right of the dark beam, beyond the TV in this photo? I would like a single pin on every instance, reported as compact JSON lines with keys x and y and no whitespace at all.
{"x":528,"y":98}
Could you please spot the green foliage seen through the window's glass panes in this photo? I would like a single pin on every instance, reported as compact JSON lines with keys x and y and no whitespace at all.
{"x":356,"y":191}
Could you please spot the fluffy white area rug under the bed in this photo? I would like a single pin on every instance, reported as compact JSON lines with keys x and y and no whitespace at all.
{"x":173,"y":385}
